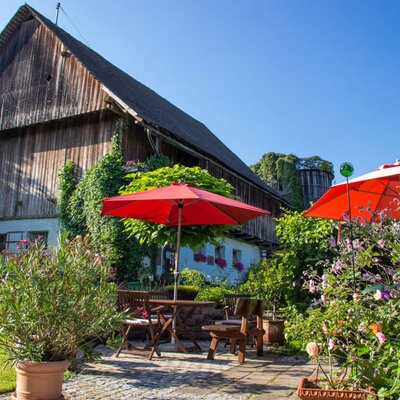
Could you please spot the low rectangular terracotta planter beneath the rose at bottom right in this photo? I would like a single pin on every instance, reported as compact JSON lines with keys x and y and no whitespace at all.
{"x":309,"y":390}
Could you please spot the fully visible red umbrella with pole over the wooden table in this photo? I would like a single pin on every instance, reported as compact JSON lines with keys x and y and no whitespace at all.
{"x":180,"y":204}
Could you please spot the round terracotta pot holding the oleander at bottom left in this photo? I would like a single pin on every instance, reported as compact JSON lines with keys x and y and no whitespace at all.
{"x":40,"y":380}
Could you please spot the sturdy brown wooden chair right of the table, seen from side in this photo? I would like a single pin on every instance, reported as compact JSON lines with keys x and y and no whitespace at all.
{"x":235,"y":333}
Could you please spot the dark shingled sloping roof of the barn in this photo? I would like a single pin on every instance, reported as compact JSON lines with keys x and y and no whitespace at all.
{"x":145,"y":102}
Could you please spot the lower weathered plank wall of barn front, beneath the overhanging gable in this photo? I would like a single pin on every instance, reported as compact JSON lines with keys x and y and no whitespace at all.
{"x":32,"y":157}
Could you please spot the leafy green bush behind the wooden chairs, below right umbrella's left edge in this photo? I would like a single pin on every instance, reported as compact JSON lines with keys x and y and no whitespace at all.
{"x":304,"y":243}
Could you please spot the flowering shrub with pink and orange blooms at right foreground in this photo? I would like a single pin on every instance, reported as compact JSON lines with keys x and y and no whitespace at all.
{"x":354,"y":318}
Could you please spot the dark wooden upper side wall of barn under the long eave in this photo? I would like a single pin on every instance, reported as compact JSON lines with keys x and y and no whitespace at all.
{"x":263,"y":227}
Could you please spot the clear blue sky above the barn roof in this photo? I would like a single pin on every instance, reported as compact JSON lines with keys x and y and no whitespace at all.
{"x":308,"y":77}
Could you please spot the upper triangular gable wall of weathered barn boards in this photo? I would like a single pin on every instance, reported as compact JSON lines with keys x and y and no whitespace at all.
{"x":38,"y":83}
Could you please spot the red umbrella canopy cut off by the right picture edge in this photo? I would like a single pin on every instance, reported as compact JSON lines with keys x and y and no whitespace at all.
{"x":370,"y":194}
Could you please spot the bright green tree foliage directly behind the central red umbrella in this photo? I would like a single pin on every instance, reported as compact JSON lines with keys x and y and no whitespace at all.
{"x":192,"y":236}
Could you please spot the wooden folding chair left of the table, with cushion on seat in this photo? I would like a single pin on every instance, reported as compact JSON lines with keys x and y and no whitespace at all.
{"x":137,"y":304}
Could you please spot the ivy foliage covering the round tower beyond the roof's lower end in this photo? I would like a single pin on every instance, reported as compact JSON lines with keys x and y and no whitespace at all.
{"x":281,"y":171}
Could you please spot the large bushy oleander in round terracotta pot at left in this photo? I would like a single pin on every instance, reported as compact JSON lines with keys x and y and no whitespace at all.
{"x":52,"y":304}
